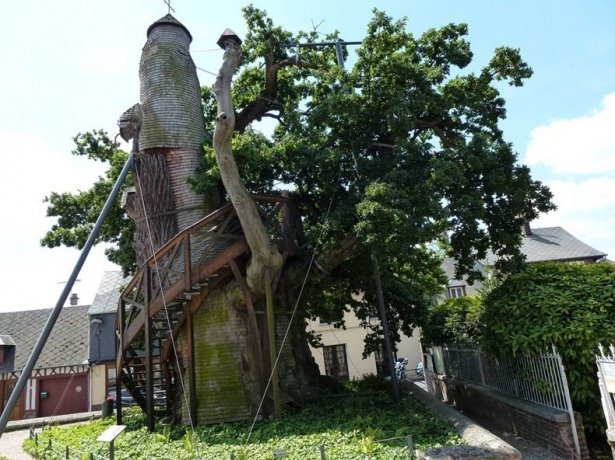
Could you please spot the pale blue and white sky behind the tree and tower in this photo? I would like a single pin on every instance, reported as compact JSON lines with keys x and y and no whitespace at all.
{"x":71,"y":66}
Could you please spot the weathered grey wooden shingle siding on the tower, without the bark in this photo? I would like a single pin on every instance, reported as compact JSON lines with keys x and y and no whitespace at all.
{"x":172,"y":113}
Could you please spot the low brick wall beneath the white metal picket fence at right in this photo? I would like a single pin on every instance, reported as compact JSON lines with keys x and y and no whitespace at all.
{"x":548,"y":427}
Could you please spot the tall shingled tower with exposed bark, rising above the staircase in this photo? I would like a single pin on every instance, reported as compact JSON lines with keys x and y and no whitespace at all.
{"x":168,"y":129}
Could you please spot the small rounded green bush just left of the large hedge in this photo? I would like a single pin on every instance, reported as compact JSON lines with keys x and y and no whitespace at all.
{"x":454,"y":322}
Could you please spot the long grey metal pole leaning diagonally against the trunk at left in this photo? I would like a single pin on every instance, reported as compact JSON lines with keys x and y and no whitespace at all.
{"x":40,"y":343}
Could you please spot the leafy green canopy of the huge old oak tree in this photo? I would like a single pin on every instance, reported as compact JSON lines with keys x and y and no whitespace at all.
{"x":383,"y":158}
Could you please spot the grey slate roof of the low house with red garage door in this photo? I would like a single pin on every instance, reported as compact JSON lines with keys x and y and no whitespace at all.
{"x":67,"y":344}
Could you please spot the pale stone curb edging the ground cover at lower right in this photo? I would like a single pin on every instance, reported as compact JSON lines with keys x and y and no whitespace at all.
{"x":481,"y":444}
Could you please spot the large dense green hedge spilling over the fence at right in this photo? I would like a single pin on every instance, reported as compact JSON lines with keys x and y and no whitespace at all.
{"x":569,"y":305}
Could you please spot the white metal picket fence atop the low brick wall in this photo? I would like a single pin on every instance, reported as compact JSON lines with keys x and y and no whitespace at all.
{"x":540,"y":379}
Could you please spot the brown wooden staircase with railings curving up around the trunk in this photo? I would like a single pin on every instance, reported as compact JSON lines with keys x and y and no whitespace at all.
{"x":161,"y":298}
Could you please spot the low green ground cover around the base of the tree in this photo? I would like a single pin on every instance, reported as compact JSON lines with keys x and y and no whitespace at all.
{"x":350,"y":427}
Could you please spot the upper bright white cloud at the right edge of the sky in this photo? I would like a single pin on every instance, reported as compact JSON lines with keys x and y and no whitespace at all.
{"x":580,"y":145}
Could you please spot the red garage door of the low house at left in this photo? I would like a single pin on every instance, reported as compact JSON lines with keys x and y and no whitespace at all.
{"x":64,"y":394}
